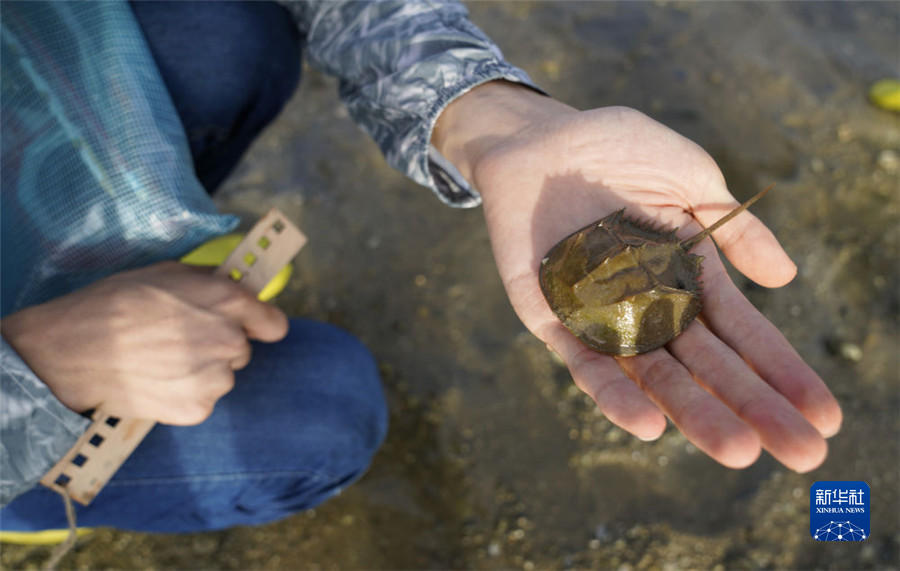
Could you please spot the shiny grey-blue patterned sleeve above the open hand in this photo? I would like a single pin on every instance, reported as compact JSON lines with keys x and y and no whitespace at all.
{"x":400,"y":64}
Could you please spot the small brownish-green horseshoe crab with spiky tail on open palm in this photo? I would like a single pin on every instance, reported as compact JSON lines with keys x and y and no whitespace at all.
{"x":626,"y":287}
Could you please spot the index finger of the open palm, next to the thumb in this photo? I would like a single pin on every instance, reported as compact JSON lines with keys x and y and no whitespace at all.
{"x":732,"y":318}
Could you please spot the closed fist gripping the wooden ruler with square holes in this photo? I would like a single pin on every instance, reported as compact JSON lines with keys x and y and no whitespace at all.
{"x":160,"y":343}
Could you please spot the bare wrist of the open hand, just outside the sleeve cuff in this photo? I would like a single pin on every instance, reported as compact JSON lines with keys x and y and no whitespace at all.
{"x":488,"y":118}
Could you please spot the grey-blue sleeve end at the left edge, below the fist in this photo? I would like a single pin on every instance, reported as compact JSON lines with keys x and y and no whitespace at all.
{"x":36,"y":430}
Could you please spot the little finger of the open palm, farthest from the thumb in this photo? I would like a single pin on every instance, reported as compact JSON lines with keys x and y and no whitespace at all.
{"x":599,"y":376}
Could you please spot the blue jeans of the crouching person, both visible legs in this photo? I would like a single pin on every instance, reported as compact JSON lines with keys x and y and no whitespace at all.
{"x":308,"y":413}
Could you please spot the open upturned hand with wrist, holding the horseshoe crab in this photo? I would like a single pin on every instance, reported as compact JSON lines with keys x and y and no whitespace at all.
{"x":731,"y":382}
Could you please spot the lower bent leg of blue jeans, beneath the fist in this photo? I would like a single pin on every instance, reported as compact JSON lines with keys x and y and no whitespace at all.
{"x":303,"y":421}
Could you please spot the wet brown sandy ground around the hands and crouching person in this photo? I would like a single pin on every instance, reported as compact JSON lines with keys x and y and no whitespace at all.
{"x":494,"y":459}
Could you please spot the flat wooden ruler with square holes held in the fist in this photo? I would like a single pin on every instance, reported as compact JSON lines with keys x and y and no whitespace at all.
{"x":109,"y":440}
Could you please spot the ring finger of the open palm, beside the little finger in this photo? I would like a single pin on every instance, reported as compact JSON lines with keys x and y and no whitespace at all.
{"x":704,"y":420}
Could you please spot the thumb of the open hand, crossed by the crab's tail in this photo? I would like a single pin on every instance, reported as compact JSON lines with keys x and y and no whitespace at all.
{"x":746,"y":241}
